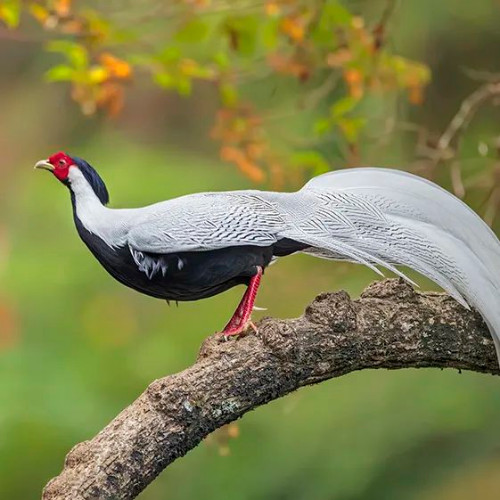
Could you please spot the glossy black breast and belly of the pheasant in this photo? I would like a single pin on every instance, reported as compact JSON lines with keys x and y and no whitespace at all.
{"x":185,"y":275}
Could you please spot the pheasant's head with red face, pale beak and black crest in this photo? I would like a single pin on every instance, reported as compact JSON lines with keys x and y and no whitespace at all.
{"x":71,"y":170}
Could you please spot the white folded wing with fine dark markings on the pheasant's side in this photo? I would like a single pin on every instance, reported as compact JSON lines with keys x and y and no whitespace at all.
{"x":207,"y":221}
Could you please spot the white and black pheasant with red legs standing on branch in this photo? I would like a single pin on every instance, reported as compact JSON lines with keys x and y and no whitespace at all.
{"x":199,"y":245}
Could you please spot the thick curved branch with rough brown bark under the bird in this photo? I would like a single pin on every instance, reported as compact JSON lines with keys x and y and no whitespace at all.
{"x":390,"y":326}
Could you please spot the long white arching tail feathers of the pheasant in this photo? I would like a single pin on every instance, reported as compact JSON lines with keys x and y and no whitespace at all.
{"x":377,"y":216}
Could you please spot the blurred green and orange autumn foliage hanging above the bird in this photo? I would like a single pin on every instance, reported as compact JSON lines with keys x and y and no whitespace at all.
{"x":290,"y":40}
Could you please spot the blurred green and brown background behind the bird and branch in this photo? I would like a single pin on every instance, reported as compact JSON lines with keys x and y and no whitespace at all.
{"x":76,"y":347}
